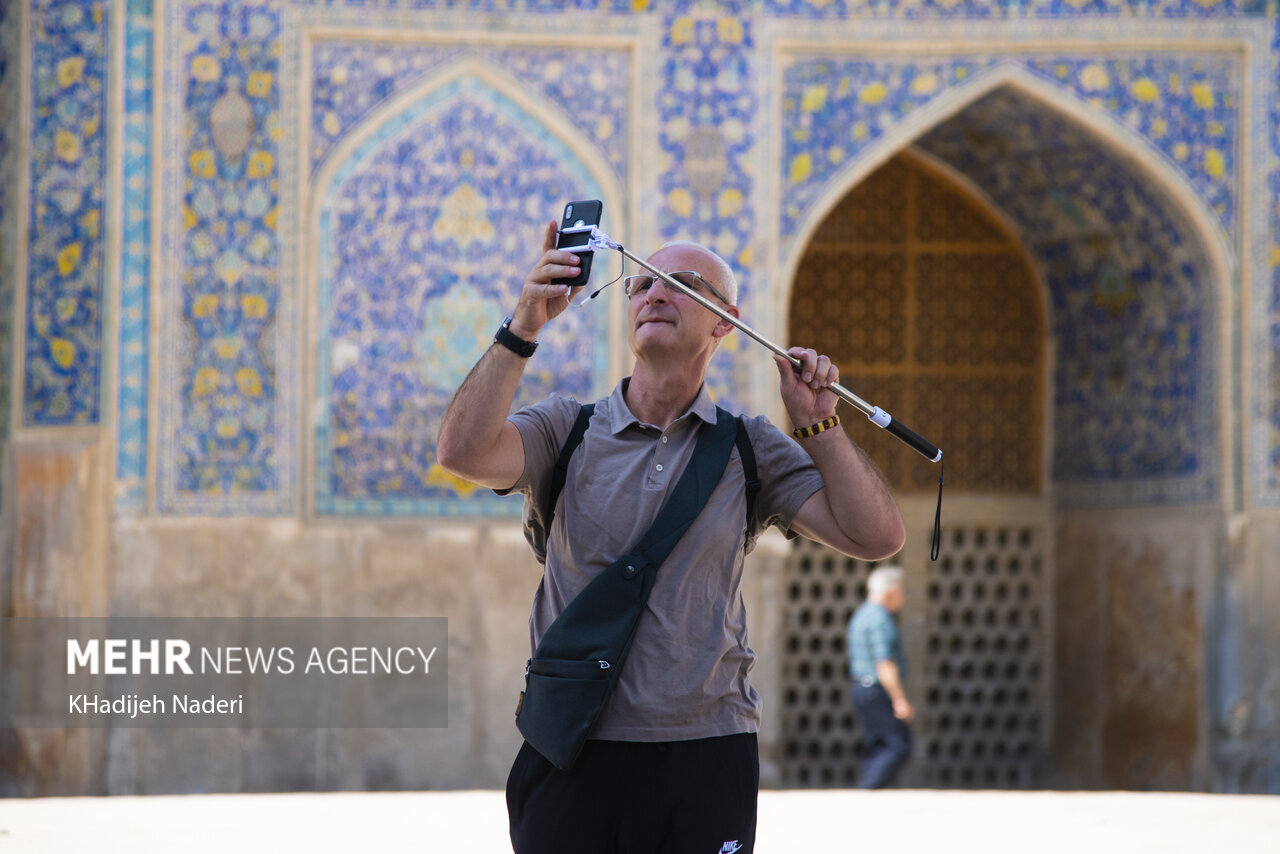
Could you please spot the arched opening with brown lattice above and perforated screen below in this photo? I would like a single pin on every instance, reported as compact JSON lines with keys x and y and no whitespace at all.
{"x":922,"y":295}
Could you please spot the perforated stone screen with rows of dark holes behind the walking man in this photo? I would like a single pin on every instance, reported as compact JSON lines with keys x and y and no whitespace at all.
{"x":975,"y":633}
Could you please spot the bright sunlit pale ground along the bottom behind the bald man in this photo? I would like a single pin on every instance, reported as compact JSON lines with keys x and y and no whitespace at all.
{"x":474,"y":823}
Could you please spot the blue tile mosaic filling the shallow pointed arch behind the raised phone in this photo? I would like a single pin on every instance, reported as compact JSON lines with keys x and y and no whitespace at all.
{"x":426,"y":240}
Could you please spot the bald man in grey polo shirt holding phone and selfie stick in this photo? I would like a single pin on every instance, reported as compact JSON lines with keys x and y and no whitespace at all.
{"x":673,"y":762}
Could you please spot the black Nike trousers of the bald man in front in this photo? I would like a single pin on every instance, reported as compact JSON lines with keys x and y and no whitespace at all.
{"x":638,"y":797}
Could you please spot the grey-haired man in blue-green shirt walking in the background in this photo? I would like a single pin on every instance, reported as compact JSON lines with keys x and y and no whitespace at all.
{"x":877,"y":668}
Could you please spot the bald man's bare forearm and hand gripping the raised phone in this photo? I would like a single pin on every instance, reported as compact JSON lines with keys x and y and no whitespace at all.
{"x":477,"y":441}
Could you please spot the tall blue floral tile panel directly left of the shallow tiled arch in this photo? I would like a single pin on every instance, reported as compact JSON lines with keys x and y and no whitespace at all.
{"x":222,"y":432}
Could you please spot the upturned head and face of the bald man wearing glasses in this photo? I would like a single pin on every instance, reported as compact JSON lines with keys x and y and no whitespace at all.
{"x":666,"y":321}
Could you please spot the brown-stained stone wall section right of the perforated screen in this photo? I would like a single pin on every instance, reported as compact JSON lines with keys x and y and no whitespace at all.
{"x":1133,"y":600}
